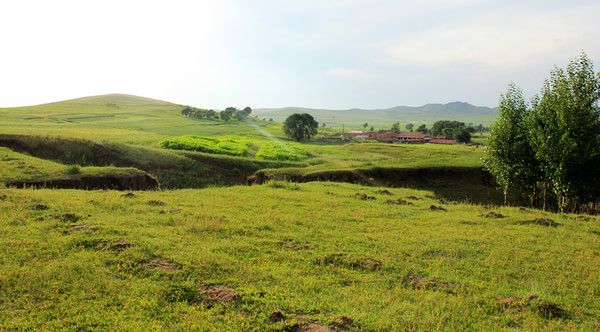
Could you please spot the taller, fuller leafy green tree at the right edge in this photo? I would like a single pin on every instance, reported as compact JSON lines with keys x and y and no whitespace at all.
{"x":565,"y":132}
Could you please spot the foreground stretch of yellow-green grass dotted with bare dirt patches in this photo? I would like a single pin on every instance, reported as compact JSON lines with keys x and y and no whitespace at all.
{"x":315,"y":252}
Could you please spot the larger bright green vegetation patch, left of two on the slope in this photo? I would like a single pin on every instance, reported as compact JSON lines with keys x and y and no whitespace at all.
{"x":228,"y":145}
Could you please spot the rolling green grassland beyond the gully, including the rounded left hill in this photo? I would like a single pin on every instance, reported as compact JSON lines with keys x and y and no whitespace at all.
{"x":132,"y":128}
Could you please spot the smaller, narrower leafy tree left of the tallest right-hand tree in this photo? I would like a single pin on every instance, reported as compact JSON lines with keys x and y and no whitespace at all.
{"x":509,"y":156}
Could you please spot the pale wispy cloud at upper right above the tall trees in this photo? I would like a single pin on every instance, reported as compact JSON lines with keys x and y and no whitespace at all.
{"x":508,"y":38}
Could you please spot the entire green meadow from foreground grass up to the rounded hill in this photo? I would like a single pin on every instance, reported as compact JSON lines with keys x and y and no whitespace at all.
{"x":417,"y":242}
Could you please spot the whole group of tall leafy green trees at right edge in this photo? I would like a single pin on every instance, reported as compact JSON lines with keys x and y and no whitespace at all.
{"x":550,"y":151}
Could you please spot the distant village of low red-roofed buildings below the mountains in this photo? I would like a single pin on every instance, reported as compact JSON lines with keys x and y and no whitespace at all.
{"x":389,"y":136}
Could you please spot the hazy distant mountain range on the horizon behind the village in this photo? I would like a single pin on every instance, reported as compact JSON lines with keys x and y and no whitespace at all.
{"x":385,"y":117}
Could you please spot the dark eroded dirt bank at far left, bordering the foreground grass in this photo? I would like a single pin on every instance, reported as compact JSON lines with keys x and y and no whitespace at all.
{"x":114,"y":182}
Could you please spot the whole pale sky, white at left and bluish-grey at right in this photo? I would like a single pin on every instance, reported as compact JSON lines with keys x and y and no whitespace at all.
{"x":314,"y":53}
